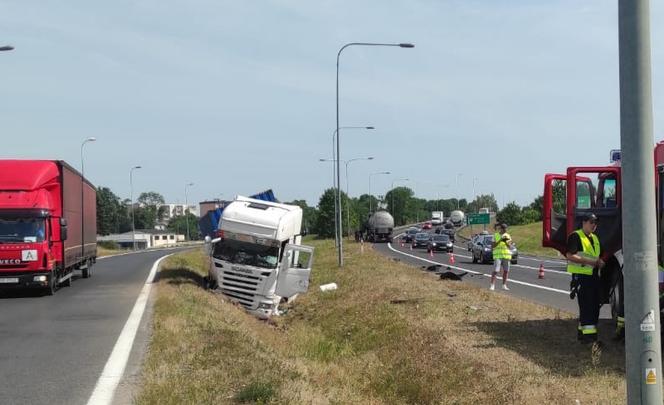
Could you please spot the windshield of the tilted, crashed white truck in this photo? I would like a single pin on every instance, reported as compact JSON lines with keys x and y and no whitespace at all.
{"x":250,"y":254}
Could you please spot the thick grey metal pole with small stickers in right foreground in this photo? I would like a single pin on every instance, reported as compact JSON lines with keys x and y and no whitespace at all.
{"x":642,"y":340}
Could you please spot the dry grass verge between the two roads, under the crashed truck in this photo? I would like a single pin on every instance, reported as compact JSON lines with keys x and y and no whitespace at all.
{"x":390,"y":334}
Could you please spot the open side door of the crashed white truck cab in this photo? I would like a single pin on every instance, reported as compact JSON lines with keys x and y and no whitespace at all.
{"x":294,"y":270}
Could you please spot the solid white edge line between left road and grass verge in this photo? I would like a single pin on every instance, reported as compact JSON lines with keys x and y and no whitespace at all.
{"x":117,"y":361}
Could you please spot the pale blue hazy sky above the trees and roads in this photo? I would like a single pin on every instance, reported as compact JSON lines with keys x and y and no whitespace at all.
{"x":239,"y":96}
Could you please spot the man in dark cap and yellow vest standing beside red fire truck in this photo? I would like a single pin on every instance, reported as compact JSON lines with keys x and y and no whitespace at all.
{"x":584,"y":262}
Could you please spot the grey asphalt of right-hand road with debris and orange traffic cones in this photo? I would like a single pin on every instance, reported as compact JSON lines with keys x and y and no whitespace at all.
{"x":552,"y":290}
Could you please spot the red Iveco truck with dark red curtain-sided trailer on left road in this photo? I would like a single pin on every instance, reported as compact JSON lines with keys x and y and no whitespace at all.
{"x":48,"y":224}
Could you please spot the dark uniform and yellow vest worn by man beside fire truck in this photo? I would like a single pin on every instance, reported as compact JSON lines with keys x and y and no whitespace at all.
{"x":588,"y":284}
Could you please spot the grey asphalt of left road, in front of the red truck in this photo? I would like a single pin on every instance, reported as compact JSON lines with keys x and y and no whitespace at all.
{"x":53,"y":349}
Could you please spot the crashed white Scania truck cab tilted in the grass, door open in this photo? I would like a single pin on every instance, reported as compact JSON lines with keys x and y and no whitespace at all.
{"x":257,"y":259}
